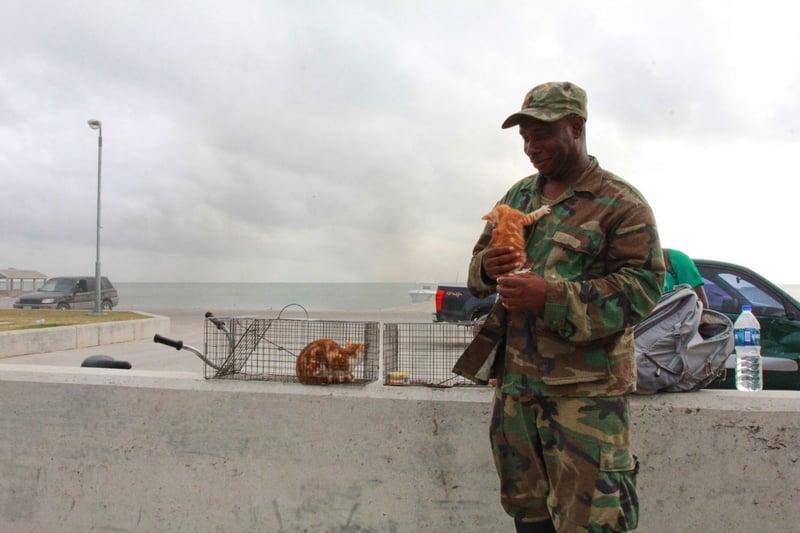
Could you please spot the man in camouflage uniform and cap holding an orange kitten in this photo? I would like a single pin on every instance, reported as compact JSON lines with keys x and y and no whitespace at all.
{"x":559,"y":339}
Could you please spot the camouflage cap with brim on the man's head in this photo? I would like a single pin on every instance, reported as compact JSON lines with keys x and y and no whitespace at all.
{"x":549,"y":102}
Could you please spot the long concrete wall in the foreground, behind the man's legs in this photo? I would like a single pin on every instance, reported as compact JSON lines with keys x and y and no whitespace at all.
{"x":94,"y":449}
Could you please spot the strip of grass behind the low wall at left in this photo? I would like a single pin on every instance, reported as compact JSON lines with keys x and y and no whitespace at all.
{"x":14,"y":319}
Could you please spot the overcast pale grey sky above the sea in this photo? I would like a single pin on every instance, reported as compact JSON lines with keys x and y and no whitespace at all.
{"x":258,"y":140}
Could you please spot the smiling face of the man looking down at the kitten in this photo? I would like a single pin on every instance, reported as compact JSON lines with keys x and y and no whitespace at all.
{"x":551,"y":146}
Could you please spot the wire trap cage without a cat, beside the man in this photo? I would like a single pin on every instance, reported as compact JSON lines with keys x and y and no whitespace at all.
{"x":424,"y":353}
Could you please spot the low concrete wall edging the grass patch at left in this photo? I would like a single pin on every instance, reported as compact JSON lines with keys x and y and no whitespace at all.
{"x":45,"y":340}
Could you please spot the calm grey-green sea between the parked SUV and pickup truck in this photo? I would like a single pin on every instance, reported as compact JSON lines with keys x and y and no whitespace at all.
{"x":265,"y":296}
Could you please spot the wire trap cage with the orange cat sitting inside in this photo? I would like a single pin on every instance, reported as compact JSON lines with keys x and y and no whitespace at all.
{"x":266,"y":349}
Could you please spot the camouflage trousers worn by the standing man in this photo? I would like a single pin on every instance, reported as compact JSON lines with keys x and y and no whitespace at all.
{"x":567,"y":459}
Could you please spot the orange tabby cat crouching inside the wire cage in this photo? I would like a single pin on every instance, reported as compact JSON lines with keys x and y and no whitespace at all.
{"x":324,"y":361}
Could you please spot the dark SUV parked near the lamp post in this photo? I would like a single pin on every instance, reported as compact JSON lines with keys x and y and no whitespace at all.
{"x":69,"y":292}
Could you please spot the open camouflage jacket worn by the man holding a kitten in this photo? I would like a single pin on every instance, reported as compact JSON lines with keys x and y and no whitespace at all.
{"x":600,"y":255}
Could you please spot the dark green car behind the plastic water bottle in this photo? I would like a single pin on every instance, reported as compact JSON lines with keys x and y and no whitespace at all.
{"x":730,"y":286}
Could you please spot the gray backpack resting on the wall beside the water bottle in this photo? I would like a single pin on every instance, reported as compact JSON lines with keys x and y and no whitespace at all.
{"x":680,"y":346}
